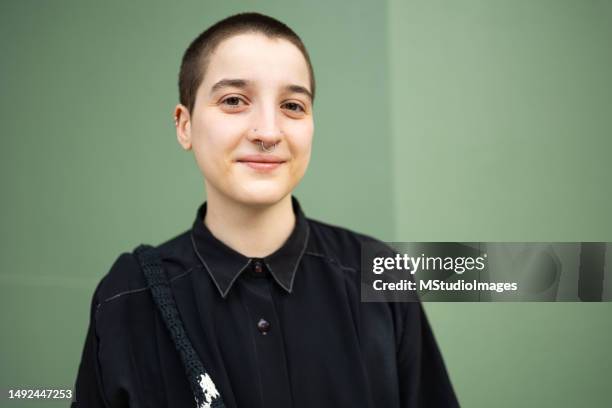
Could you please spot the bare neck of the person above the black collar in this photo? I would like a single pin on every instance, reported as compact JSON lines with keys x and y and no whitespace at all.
{"x":253,"y":231}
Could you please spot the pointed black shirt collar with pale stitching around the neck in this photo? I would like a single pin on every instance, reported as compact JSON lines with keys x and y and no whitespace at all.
{"x":224,"y":264}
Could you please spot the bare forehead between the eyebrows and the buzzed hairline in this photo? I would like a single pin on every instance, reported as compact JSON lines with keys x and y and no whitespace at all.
{"x":258,"y":58}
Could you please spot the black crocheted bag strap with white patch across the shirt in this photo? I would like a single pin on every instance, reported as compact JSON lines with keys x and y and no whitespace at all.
{"x":202,"y":385}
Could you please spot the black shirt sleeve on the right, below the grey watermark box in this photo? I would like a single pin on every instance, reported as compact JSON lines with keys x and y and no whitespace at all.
{"x":423,"y":379}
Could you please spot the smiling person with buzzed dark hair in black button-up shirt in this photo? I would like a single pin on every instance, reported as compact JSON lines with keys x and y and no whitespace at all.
{"x":269,"y":298}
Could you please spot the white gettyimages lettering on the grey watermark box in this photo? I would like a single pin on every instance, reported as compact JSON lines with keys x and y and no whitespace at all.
{"x":413,"y":264}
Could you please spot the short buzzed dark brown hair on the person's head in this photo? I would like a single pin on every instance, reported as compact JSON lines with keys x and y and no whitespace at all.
{"x":197,"y":56}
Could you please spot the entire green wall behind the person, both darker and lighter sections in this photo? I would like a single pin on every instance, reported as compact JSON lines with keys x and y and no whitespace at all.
{"x":435,"y":120}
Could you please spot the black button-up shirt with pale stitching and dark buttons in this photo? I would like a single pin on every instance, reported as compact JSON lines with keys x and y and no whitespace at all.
{"x":287,"y":330}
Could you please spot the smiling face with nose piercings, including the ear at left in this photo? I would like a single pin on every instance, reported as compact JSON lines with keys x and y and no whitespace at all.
{"x":256,"y":90}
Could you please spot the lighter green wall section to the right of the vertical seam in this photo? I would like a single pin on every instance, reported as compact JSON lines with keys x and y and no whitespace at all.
{"x":501,"y":124}
